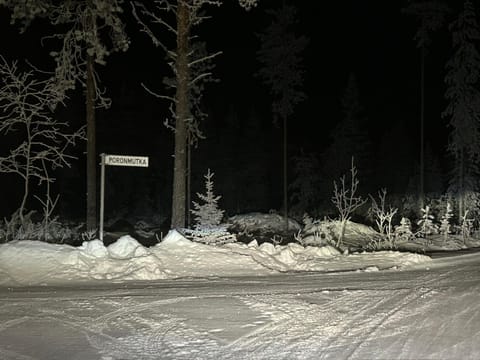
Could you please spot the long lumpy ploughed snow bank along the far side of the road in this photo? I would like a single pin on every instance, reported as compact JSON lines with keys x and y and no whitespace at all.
{"x":38,"y":263}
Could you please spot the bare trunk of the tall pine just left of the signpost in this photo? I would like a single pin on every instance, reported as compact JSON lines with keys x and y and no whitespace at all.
{"x":91,"y":148}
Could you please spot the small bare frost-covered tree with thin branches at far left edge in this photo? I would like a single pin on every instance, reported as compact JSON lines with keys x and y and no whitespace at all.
{"x":27,"y":107}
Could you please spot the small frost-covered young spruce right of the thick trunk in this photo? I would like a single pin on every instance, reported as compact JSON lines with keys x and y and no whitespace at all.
{"x":208,"y":214}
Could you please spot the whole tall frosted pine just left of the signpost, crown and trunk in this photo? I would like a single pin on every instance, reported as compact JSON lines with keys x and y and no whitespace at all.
{"x":86,"y":25}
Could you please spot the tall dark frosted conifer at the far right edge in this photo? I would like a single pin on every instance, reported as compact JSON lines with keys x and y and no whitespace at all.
{"x":463,"y":109}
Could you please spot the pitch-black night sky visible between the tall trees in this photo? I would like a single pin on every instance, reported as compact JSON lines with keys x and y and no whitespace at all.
{"x":371,"y":39}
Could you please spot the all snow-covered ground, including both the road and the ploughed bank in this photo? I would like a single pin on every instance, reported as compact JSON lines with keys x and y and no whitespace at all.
{"x":184,"y":300}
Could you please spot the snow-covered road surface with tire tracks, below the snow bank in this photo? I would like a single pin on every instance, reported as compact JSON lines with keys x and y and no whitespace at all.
{"x":420,"y":313}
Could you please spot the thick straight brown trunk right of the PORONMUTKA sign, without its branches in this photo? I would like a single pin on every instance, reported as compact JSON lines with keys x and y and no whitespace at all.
{"x":179,"y":167}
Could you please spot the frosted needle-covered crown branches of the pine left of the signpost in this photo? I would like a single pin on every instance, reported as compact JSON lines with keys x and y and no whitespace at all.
{"x":85,"y":27}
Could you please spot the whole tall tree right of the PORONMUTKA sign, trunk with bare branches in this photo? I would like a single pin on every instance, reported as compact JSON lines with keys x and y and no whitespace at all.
{"x":191,"y":69}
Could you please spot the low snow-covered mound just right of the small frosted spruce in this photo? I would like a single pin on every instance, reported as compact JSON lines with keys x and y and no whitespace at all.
{"x":262,"y":222}
